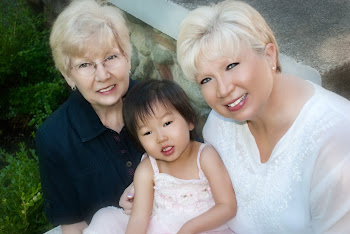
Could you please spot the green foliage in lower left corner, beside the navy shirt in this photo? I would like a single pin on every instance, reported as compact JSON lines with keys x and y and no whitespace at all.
{"x":21,"y":205}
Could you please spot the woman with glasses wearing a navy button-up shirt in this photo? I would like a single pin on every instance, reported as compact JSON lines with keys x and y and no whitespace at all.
{"x":86,"y":157}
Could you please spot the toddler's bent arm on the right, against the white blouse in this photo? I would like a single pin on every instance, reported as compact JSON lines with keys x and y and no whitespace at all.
{"x":225,"y":207}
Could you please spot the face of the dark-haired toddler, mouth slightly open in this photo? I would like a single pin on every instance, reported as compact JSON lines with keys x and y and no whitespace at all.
{"x":165,"y":135}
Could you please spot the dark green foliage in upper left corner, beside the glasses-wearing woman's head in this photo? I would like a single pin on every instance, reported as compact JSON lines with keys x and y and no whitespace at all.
{"x":31,"y":87}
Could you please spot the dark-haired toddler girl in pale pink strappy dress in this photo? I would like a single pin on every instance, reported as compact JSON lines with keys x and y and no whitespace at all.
{"x":181,"y":186}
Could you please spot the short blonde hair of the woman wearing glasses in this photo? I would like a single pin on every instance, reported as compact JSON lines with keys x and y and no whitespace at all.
{"x":88,"y":27}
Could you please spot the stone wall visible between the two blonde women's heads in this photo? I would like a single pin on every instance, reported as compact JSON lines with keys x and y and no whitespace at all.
{"x":154,"y":56}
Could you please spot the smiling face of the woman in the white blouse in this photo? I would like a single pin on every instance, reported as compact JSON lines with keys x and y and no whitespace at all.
{"x":238,"y":88}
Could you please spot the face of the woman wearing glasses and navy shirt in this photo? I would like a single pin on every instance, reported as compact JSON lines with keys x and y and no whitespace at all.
{"x":107,"y":85}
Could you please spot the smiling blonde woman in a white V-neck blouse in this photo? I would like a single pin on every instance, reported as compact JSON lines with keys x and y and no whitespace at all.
{"x":284,"y":140}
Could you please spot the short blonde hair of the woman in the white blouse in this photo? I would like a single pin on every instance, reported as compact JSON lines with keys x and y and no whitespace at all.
{"x":221,"y":30}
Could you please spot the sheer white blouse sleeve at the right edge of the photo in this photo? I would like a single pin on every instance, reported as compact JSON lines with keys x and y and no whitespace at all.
{"x":330,"y":185}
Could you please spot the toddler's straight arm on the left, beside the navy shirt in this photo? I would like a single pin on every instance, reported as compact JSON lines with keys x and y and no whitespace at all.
{"x":143,"y":200}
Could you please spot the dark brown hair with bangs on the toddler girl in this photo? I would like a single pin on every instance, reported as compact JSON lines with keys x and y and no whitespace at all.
{"x":140,"y":102}
